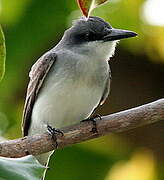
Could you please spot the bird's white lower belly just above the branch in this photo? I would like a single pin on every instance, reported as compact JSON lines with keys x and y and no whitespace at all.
{"x":64,"y":104}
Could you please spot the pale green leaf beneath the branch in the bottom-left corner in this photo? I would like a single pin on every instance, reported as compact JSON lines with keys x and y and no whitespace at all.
{"x":24,"y":168}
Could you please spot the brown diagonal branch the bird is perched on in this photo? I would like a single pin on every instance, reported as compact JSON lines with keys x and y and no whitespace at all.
{"x":118,"y":122}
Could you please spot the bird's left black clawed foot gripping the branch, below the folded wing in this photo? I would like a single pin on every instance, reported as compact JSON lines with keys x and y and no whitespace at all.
{"x":53,"y":132}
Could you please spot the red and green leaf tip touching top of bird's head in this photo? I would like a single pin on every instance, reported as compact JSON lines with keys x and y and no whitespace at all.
{"x":87,"y":6}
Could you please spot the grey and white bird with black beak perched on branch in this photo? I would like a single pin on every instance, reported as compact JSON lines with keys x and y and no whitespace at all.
{"x":71,"y":80}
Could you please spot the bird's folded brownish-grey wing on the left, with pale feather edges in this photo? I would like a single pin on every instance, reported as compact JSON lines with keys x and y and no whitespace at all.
{"x":37,"y":75}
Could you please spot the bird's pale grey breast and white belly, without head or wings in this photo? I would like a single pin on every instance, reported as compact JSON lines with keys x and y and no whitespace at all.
{"x":70,"y":92}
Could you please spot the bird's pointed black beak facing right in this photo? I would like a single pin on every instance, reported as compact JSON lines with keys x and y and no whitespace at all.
{"x":117,"y":34}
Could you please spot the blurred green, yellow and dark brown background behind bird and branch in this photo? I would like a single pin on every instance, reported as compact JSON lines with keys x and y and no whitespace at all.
{"x":33,"y":27}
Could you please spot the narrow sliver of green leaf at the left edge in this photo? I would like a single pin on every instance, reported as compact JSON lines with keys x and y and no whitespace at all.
{"x":2,"y":54}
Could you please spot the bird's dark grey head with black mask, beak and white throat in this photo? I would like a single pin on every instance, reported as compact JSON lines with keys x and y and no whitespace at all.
{"x":95,"y":35}
